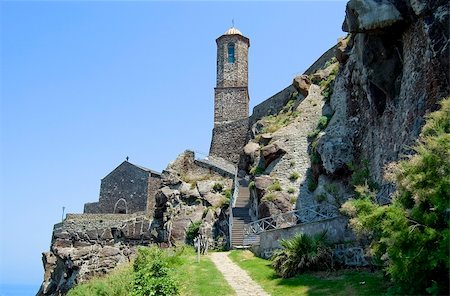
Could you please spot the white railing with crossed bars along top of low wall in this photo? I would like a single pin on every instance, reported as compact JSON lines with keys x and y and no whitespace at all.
{"x":288,"y":219}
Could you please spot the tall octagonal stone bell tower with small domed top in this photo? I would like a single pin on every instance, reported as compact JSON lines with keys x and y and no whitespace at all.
{"x":231,"y":97}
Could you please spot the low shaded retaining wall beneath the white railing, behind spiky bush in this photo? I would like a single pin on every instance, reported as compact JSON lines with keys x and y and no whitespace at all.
{"x":337,"y":232}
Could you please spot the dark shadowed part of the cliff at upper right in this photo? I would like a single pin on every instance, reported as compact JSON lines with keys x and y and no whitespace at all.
{"x":392,"y":78}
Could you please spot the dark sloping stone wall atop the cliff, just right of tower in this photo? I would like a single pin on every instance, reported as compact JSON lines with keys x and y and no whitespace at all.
{"x":272,"y":105}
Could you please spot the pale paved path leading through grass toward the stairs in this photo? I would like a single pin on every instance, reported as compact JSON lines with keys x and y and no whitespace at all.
{"x":237,"y":278}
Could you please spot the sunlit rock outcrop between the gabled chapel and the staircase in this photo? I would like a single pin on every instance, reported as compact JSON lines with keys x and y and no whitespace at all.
{"x":191,"y":193}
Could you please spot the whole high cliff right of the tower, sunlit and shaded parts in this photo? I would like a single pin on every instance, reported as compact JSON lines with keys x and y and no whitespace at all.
{"x":355,"y":114}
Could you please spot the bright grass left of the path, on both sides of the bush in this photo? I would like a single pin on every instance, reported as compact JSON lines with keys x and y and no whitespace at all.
{"x":193,"y":279}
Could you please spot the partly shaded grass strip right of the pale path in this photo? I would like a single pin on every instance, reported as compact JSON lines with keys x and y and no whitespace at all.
{"x":342,"y":282}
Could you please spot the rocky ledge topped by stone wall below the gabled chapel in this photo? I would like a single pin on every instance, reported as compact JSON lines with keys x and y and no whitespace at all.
{"x":88,"y":245}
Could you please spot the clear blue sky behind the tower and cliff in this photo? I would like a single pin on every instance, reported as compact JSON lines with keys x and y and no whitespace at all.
{"x":85,"y":84}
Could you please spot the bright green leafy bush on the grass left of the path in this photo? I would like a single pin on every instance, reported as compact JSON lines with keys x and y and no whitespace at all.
{"x":152,"y":274}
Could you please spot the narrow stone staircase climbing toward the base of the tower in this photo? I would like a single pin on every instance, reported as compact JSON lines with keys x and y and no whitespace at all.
{"x":241,"y":214}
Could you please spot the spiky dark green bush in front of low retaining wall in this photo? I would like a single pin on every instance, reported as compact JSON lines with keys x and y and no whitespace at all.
{"x":302,"y":253}
